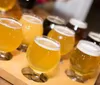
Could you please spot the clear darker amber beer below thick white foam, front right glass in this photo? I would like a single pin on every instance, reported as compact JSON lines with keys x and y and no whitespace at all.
{"x":83,"y":64}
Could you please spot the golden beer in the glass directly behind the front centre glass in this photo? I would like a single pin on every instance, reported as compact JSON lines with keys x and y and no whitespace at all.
{"x":67,"y":42}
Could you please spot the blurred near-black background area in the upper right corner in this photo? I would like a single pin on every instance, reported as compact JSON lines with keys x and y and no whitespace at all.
{"x":93,"y":17}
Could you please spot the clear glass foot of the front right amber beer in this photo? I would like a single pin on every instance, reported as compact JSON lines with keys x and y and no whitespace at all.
{"x":71,"y":74}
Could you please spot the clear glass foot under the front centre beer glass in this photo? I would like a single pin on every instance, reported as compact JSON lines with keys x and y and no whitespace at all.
{"x":31,"y":75}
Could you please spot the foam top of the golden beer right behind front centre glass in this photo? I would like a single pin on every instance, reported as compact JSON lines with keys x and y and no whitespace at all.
{"x":64,"y":30}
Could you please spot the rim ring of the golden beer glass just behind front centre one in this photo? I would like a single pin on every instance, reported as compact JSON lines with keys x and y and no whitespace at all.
{"x":69,"y":32}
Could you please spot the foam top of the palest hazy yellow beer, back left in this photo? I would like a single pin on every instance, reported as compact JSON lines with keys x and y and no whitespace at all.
{"x":32,"y":19}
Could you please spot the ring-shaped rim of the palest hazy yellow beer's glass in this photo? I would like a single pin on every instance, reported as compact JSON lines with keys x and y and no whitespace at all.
{"x":33,"y":17}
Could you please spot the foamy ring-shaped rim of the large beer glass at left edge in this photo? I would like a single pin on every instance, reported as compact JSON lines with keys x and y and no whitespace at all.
{"x":11,"y":19}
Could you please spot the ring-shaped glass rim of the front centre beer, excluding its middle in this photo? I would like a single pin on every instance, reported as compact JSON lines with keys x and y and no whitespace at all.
{"x":50,"y":40}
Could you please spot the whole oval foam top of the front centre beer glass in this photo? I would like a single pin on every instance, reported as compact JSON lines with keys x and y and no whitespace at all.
{"x":47,"y":43}
